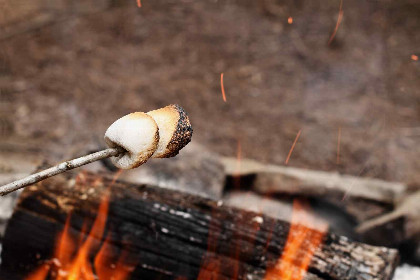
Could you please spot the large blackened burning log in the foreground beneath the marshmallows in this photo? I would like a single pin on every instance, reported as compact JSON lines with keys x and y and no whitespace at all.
{"x":165,"y":234}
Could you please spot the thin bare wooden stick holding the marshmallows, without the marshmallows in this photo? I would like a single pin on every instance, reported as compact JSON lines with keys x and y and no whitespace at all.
{"x":59,"y":168}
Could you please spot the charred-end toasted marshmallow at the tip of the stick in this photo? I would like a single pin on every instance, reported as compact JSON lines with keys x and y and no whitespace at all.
{"x":175,"y":130}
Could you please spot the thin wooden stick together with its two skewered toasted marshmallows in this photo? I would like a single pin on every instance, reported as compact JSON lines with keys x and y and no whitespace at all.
{"x":132,"y":140}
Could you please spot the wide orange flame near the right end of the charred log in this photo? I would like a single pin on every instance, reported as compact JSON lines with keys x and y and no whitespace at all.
{"x":305,"y":236}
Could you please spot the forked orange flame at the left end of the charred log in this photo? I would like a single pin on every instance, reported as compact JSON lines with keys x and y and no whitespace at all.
{"x":69,"y":264}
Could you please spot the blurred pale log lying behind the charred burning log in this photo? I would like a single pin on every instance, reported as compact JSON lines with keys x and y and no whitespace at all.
{"x":363,"y":198}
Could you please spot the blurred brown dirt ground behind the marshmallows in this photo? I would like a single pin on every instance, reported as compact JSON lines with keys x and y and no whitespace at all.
{"x":62,"y":84}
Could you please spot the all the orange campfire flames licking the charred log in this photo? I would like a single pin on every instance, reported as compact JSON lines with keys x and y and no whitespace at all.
{"x":72,"y":254}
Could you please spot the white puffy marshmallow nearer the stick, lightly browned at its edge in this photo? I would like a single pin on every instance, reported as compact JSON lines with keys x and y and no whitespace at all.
{"x":137,"y":134}
